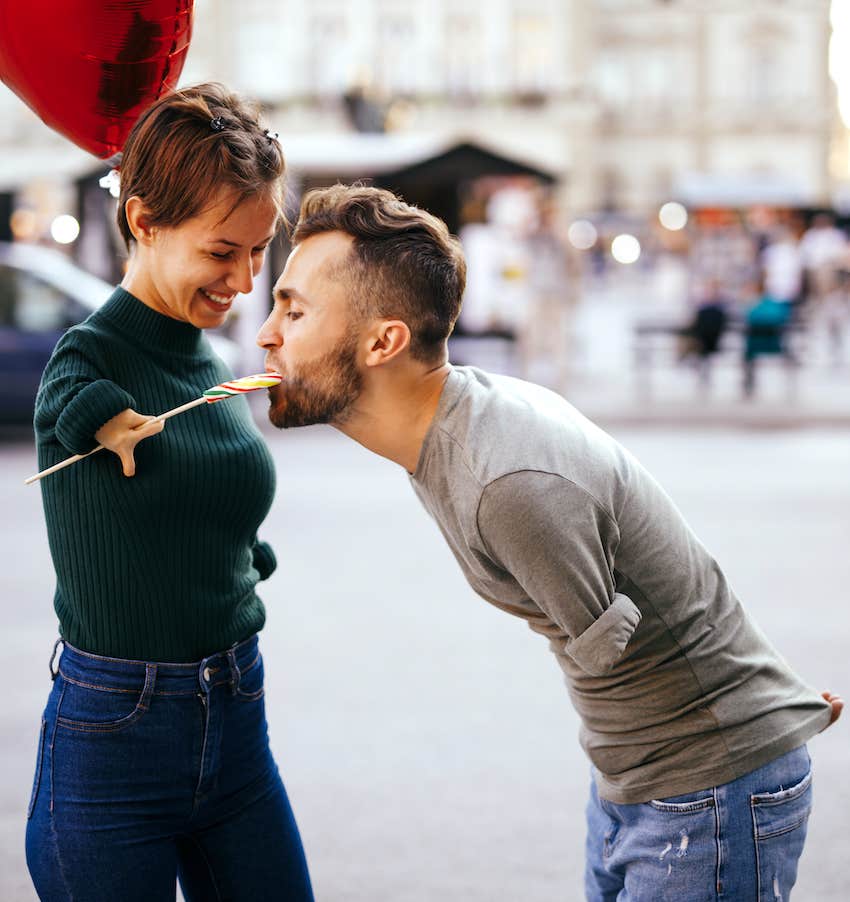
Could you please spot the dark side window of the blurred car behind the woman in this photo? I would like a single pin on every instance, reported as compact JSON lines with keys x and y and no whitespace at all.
{"x":31,"y":305}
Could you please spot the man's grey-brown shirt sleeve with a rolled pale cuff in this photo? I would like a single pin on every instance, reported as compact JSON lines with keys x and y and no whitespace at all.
{"x":559,"y":543}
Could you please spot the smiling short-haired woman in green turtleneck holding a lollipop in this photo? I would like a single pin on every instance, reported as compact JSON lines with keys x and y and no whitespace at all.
{"x":153,"y":759}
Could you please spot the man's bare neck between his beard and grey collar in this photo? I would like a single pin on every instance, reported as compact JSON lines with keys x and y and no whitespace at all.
{"x":392,"y":416}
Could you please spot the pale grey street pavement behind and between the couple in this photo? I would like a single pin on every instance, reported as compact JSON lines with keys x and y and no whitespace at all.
{"x":425,"y":738}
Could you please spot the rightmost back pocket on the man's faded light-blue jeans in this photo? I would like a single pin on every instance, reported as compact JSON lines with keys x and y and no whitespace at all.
{"x":780,"y":823}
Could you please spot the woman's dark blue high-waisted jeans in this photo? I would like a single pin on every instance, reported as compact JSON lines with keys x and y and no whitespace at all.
{"x":148,"y":772}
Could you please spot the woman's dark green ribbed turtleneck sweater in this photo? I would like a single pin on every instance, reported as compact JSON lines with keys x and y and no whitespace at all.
{"x":161,"y":566}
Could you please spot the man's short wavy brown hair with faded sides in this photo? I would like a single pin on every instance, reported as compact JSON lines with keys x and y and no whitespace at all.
{"x":404,"y":262}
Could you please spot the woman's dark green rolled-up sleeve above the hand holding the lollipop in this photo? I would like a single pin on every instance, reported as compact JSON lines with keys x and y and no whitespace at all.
{"x":74,"y":399}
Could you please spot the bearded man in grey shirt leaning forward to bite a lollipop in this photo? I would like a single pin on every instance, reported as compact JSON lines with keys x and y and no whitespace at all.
{"x":695,"y":726}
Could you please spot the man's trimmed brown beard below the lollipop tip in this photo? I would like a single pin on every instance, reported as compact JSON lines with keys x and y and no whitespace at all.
{"x":322,"y":392}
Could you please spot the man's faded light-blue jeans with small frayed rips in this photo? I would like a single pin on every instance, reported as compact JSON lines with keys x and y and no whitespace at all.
{"x":739,"y":842}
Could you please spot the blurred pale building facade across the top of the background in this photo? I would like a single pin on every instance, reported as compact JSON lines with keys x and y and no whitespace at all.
{"x":630,"y":102}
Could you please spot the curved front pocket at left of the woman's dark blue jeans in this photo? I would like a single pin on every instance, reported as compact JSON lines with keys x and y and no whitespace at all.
{"x":88,"y":708}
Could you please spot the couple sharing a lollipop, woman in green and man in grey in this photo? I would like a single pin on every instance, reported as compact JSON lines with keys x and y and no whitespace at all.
{"x":153,"y":760}
